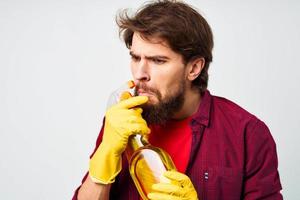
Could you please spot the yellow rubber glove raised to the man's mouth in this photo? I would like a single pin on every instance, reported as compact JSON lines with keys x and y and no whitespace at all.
{"x":121,"y":121}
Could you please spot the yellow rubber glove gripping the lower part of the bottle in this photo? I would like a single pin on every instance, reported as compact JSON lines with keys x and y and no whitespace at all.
{"x":180,"y":187}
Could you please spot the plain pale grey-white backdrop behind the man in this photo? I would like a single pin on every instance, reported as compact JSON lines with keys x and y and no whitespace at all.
{"x":60,"y":59}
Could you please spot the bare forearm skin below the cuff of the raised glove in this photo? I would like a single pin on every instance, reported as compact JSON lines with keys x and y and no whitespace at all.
{"x":93,"y":191}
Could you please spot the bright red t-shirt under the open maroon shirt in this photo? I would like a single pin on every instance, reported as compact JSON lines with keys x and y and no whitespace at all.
{"x":174,"y":134}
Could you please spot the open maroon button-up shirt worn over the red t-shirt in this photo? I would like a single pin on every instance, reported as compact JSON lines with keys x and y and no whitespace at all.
{"x":233,"y":156}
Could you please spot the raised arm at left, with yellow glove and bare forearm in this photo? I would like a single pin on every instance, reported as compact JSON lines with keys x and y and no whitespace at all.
{"x":121,"y":121}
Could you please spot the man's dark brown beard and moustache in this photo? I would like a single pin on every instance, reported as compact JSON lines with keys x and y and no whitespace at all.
{"x":166,"y":107}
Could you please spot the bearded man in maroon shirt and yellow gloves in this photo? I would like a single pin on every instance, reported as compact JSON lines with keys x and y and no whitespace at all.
{"x":220,"y":150}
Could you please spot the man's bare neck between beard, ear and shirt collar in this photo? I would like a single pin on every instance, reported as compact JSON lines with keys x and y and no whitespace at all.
{"x":190,"y":105}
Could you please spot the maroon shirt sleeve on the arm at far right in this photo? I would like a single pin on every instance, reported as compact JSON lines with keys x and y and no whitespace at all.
{"x":261,"y":175}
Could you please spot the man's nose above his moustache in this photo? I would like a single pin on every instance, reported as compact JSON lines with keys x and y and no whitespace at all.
{"x":140,"y":71}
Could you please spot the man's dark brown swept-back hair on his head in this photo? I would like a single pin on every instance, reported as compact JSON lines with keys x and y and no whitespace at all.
{"x":180,"y":25}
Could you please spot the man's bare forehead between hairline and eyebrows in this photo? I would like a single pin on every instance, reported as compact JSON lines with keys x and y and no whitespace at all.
{"x":151,"y":46}
